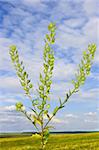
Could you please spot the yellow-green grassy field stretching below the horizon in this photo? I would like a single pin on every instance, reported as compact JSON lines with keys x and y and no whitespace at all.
{"x":86,"y":141}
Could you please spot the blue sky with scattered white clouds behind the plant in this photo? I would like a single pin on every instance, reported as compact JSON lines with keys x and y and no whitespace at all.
{"x":24,"y":24}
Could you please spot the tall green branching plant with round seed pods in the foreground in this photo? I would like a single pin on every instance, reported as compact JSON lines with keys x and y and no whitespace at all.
{"x":40,"y":106}
